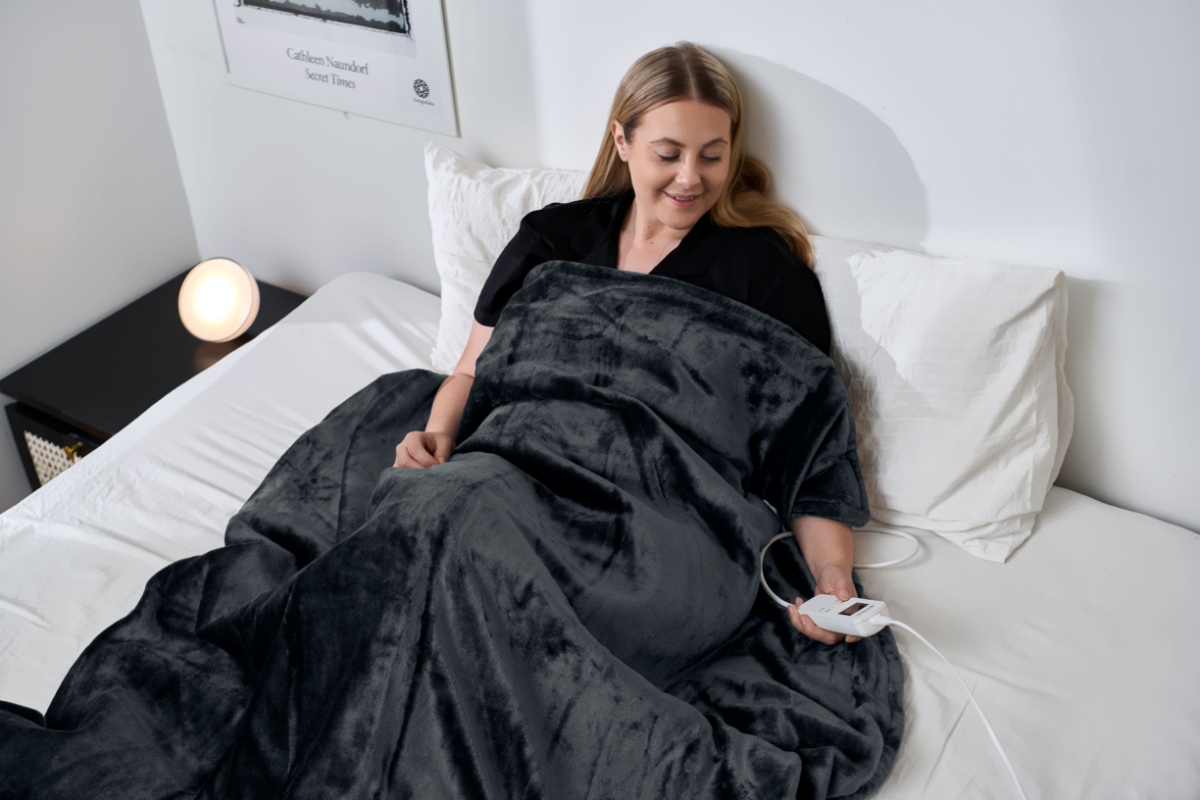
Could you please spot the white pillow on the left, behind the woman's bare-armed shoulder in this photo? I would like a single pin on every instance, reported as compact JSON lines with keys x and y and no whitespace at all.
{"x":476,"y":210}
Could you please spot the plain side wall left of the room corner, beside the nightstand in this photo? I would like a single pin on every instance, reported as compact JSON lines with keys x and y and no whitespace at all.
{"x":93,"y":212}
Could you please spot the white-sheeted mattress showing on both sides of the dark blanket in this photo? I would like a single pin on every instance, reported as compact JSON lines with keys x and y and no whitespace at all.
{"x":1082,"y":648}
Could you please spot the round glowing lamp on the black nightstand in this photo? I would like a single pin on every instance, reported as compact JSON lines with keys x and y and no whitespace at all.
{"x":219,"y":300}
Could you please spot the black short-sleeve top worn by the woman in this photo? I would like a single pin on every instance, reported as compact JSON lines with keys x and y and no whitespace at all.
{"x":752,"y":266}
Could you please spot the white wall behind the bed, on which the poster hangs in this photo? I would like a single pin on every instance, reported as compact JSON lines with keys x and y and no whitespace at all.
{"x":1051,"y":133}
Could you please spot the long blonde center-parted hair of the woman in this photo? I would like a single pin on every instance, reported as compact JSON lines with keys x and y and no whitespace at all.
{"x":687,"y":71}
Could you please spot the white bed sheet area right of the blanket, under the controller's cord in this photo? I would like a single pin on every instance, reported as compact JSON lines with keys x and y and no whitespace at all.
{"x":1082,"y":649}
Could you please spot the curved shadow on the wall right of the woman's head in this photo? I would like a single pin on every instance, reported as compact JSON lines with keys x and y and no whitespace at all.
{"x":835,"y":163}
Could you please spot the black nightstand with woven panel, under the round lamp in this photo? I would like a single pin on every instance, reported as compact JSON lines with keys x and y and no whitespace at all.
{"x":86,"y":390}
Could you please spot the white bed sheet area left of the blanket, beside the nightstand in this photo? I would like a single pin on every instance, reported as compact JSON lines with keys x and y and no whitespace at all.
{"x":76,"y":555}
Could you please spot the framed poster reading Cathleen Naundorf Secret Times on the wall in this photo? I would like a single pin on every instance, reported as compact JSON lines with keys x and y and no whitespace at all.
{"x":386,"y":59}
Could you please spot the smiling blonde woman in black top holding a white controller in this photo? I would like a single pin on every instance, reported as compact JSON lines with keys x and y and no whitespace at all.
{"x":671,"y":194}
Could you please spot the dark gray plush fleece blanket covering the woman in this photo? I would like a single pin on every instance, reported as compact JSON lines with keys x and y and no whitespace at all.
{"x":568,"y":609}
